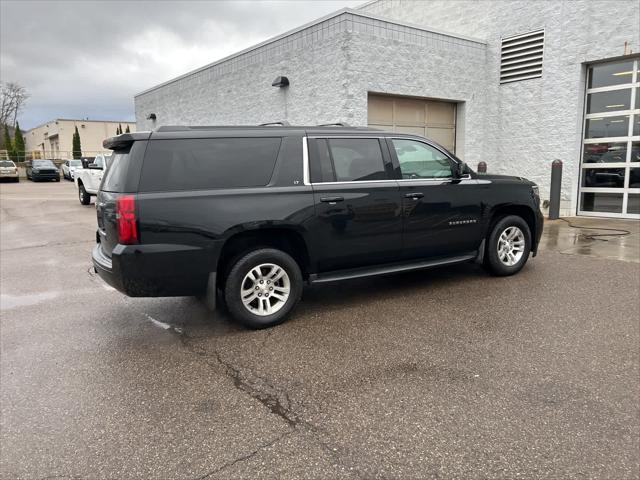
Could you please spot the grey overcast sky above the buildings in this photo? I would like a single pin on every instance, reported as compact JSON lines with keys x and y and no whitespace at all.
{"x":81,"y":59}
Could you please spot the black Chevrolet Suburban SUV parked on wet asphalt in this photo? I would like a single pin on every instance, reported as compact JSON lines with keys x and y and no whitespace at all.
{"x":255,"y":212}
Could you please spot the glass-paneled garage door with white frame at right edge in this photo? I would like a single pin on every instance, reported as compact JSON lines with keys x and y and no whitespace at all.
{"x":610,"y":166}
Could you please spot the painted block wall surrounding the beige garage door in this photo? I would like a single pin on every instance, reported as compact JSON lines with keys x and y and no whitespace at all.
{"x":379,"y":65}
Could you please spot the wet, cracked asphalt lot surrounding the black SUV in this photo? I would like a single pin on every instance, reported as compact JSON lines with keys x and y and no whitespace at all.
{"x":439,"y":374}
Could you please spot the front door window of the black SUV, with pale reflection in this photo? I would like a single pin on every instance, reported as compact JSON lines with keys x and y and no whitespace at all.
{"x":419,"y":160}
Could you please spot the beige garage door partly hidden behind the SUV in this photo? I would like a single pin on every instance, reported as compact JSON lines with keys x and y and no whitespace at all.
{"x":432,"y":119}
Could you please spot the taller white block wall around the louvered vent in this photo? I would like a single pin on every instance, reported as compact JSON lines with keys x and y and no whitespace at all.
{"x":528,"y":124}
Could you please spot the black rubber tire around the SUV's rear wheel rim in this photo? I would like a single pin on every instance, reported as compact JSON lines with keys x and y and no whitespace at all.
{"x":236,"y":278}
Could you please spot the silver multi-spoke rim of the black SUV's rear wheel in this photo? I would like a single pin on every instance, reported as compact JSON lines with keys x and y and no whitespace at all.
{"x":265,"y":289}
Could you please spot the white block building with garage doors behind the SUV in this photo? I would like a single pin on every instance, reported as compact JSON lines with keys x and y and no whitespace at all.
{"x":515,"y":84}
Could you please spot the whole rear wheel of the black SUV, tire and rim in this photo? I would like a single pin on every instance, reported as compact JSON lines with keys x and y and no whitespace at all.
{"x":262,"y":288}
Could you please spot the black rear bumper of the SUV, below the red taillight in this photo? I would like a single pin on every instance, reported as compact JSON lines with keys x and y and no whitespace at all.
{"x":154,"y":270}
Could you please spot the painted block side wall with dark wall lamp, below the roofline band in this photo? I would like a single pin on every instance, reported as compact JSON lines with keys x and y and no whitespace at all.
{"x":245,"y":95}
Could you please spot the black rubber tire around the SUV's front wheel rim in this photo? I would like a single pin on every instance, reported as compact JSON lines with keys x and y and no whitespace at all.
{"x":500,"y":265}
